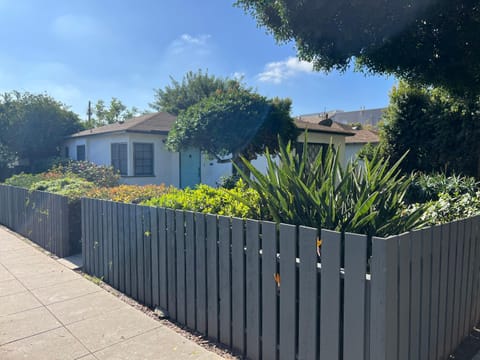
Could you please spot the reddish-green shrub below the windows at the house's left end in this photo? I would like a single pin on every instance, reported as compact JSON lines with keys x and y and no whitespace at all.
{"x":101,"y":175}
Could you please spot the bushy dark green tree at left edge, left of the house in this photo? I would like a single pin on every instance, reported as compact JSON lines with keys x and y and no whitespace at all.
{"x":33,"y":127}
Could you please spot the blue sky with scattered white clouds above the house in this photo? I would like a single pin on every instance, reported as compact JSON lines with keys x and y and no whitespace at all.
{"x":85,"y":50}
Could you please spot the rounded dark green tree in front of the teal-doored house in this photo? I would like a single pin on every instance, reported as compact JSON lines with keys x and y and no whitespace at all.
{"x":238,"y":122}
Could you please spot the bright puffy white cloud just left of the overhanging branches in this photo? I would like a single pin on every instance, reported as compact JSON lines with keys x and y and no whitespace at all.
{"x":278,"y":71}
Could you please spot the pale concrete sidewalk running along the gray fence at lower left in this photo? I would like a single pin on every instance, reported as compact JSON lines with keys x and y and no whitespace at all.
{"x":47,"y":311}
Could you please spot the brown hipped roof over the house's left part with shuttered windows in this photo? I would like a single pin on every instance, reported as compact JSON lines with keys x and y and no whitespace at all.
{"x":157,"y":123}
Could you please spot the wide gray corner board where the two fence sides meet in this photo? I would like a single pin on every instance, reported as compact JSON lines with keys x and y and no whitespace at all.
{"x":383,"y":306}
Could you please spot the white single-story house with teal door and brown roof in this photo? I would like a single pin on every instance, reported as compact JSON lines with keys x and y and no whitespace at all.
{"x":136,"y":148}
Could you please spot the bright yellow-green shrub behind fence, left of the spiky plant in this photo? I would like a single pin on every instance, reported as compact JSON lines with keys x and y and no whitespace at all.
{"x":239,"y":201}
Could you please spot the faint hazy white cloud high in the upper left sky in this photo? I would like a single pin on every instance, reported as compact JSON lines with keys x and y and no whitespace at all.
{"x":77,"y":27}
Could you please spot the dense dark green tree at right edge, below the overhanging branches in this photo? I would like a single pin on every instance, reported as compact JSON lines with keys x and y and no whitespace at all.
{"x":439,"y":130}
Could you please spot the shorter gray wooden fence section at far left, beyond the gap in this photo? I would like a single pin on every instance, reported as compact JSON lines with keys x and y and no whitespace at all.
{"x":46,"y":219}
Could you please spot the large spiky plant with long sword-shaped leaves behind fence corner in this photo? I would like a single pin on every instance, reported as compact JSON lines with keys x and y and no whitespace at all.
{"x":364,"y":199}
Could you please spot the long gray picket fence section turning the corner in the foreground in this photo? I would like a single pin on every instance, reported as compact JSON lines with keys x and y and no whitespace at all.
{"x":265,"y":291}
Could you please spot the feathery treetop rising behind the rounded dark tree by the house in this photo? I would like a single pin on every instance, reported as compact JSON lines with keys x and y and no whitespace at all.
{"x":193,"y":88}
